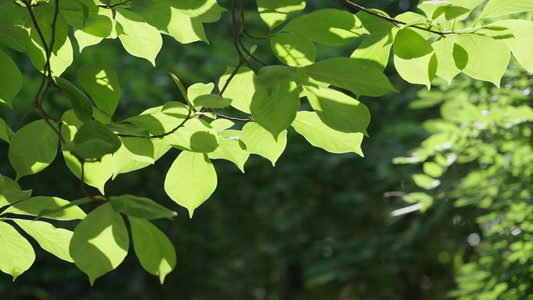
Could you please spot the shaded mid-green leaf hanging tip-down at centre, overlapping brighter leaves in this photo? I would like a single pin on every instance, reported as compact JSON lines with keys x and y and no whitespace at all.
{"x":275,"y":109}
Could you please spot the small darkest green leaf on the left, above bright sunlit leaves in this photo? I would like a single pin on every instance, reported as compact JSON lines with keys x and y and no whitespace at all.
{"x":94,"y":140}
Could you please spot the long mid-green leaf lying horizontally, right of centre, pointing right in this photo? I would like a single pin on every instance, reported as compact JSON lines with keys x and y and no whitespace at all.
{"x":350,"y":74}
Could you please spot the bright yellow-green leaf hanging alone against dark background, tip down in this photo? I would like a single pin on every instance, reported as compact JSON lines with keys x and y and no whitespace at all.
{"x":191,"y":180}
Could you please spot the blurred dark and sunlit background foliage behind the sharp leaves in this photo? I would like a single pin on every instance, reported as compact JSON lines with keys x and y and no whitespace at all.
{"x":318,"y":225}
